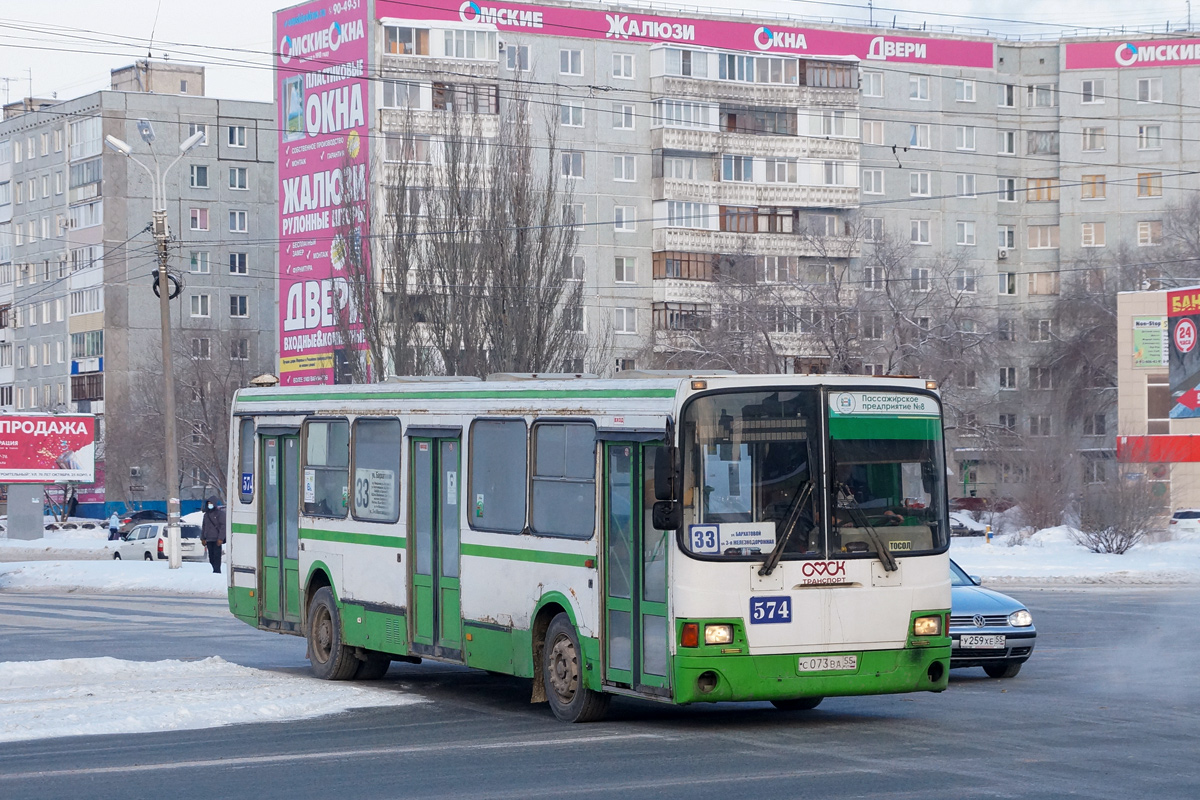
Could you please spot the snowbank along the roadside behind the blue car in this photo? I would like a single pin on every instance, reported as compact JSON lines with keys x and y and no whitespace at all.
{"x":1053,"y":556}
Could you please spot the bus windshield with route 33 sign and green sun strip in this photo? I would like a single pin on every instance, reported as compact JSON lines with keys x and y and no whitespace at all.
{"x":753,"y":476}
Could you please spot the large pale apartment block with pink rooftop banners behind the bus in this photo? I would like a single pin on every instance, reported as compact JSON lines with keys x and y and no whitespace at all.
{"x":1013,"y":176}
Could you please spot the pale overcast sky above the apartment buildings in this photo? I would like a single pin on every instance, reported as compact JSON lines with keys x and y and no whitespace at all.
{"x":68,"y":47}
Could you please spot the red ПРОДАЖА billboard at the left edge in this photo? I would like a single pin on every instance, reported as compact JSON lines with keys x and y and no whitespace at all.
{"x":47,"y":449}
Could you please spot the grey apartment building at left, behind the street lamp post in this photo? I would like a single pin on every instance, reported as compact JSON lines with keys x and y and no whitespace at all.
{"x":80,"y":323}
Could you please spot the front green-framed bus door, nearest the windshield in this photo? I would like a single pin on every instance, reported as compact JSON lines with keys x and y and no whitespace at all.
{"x":637,"y":631}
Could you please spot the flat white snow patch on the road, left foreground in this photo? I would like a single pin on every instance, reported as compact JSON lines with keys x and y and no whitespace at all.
{"x":75,"y":697}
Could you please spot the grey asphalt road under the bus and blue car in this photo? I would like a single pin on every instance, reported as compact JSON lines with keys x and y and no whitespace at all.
{"x":1109,"y":707}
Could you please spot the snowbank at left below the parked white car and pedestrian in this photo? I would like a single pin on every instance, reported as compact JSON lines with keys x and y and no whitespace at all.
{"x":113,"y":578}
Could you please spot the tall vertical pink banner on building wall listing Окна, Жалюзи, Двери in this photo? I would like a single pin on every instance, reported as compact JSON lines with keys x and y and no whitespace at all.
{"x":323,"y":99}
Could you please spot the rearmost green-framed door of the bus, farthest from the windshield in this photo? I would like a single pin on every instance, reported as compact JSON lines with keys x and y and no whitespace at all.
{"x":280,"y":560}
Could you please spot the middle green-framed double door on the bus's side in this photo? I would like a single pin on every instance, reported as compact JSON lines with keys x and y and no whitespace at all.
{"x":436,"y":610}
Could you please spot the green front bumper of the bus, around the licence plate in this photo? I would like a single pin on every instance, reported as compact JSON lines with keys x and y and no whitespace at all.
{"x":715,"y":679}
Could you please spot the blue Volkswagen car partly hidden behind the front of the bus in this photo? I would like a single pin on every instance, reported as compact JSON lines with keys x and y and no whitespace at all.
{"x":988,"y":629}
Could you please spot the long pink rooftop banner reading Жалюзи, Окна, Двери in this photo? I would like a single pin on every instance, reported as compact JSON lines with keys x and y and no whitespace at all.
{"x":645,"y":28}
